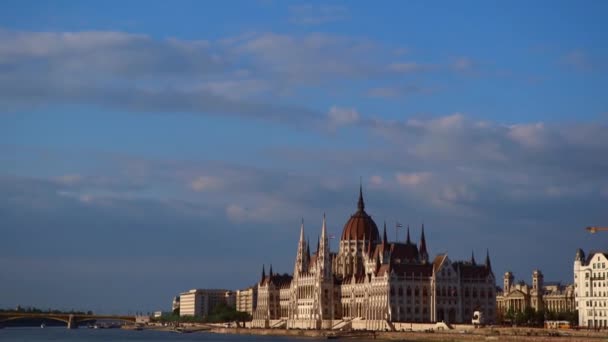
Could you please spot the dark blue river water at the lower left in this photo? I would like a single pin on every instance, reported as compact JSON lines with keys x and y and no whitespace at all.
{"x":34,"y":334}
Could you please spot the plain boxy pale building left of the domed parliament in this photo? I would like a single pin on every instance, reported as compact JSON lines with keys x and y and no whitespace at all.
{"x":200,"y":302}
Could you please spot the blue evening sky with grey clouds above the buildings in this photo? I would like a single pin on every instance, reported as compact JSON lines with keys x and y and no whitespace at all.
{"x":163,"y":146}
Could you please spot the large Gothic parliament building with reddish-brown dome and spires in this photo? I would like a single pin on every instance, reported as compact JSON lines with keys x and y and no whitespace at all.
{"x":373,"y":280}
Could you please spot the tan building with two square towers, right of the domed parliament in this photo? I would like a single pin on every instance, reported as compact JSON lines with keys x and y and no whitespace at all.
{"x":519,"y":296}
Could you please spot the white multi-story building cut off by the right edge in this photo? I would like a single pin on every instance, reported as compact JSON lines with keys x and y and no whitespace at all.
{"x":591,"y":286}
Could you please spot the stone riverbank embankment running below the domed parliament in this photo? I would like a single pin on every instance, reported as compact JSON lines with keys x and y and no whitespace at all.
{"x":483,"y":334}
